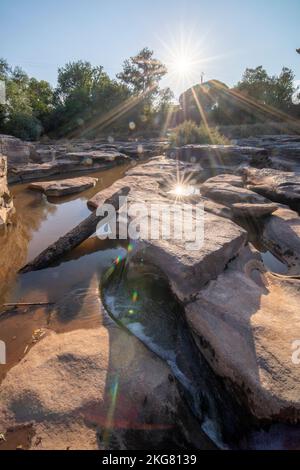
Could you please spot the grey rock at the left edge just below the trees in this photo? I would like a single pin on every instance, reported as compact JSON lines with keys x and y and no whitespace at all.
{"x":17,"y":151}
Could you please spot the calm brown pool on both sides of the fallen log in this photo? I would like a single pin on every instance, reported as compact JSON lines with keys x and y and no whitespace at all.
{"x":70,"y":284}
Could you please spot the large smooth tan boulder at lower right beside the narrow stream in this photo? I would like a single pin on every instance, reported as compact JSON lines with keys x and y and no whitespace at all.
{"x":248,"y":338}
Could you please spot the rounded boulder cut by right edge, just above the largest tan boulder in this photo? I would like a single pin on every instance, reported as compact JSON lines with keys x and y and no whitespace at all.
{"x":282,"y":236}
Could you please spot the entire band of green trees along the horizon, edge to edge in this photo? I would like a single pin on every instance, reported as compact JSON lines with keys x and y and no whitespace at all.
{"x":88,"y":103}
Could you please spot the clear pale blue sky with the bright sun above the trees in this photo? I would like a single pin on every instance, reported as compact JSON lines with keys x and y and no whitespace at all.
{"x":224,"y":36}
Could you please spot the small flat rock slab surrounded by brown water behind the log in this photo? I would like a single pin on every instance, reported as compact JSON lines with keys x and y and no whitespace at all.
{"x":64,"y":187}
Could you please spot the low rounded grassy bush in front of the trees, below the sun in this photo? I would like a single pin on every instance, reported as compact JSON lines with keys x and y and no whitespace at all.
{"x":189,"y":133}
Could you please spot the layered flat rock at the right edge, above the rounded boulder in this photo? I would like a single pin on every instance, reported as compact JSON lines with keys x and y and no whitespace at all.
{"x":279,"y":186}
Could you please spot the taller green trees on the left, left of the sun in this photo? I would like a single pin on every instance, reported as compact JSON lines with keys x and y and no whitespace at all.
{"x":86,"y":101}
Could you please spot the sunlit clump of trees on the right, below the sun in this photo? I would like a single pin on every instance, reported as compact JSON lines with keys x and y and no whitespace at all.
{"x":257,"y":98}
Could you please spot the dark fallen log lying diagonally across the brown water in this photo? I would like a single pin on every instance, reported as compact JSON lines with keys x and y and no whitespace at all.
{"x":73,"y":238}
